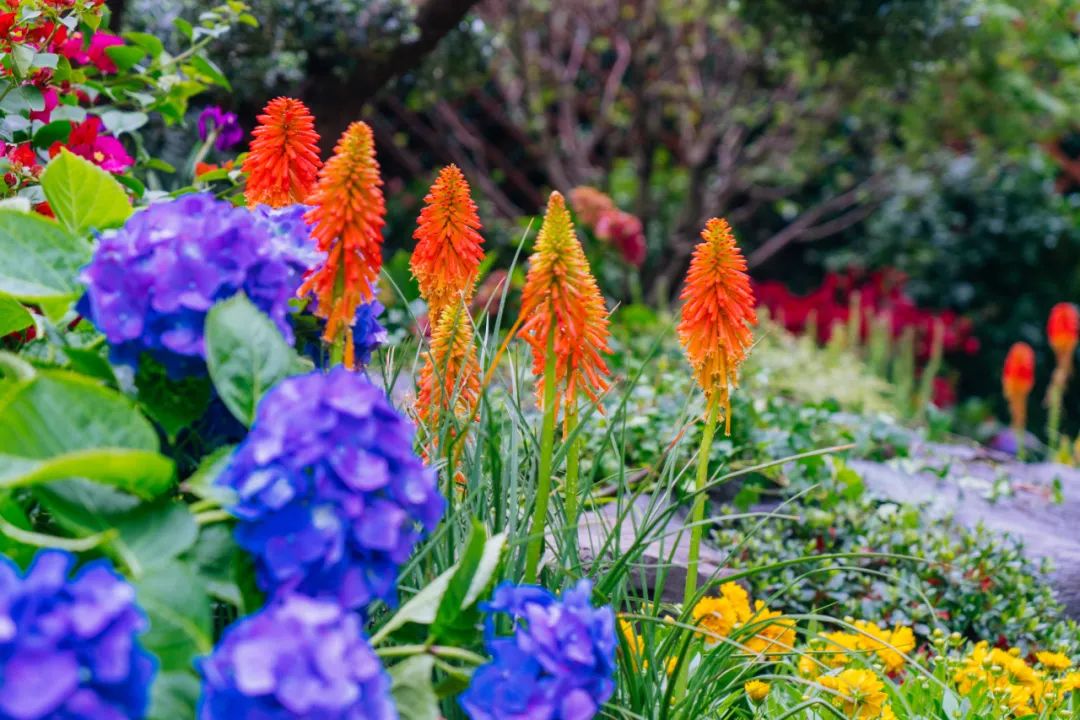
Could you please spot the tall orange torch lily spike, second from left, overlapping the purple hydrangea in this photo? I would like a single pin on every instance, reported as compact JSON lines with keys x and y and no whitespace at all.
{"x":348,"y":216}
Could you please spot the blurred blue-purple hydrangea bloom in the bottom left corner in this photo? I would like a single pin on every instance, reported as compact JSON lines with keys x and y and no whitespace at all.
{"x":67,"y":646}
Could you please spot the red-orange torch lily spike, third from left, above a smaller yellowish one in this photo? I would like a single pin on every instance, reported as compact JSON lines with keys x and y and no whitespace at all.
{"x":449,"y":252}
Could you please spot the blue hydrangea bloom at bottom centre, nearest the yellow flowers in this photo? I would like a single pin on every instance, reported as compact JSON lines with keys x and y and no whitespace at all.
{"x":558,"y":665}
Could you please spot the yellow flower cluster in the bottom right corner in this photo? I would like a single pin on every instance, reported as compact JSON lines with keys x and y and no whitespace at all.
{"x":1027,"y":690}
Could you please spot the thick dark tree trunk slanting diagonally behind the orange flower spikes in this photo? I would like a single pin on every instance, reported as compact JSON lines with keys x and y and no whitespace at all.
{"x":337,"y":103}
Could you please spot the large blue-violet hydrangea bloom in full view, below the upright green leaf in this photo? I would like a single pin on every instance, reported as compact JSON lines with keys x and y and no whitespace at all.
{"x":331,"y":497}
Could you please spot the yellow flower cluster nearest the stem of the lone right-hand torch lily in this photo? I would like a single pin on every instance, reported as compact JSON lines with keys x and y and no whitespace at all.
{"x":759,"y":630}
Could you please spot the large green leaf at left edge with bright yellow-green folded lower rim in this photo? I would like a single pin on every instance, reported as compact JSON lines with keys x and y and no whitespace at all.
{"x":61,"y":425}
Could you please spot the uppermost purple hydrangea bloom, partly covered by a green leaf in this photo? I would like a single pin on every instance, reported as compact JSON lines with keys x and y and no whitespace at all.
{"x":151,"y":283}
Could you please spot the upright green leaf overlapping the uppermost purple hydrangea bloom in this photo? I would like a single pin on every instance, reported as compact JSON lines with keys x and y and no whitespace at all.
{"x":247,"y":356}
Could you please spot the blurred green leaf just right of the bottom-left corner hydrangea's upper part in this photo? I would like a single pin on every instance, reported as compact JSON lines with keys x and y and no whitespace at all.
{"x":180,"y":614}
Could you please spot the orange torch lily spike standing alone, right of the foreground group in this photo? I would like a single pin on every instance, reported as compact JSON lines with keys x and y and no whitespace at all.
{"x":718,"y":315}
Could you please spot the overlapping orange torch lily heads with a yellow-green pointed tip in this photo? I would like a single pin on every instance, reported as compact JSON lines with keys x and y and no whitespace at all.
{"x":561,"y":293}
